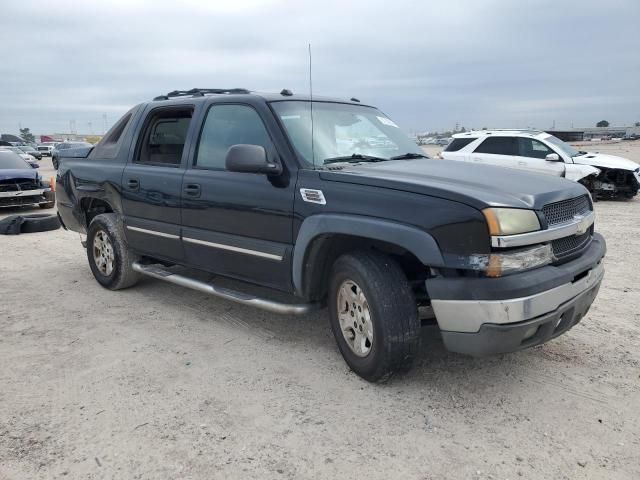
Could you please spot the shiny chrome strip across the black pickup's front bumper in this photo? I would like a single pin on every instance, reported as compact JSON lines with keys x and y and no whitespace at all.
{"x":469,"y":315}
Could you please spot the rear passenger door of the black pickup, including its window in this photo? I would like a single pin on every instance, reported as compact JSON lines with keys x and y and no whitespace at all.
{"x":152,"y":181}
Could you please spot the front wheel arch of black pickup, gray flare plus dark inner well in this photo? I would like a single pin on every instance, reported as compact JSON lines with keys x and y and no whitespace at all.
{"x":323,"y":238}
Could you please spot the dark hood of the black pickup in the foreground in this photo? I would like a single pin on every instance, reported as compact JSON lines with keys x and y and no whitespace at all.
{"x":479,"y":186}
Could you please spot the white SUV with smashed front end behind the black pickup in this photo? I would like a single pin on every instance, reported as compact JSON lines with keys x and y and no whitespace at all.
{"x":603,"y":175}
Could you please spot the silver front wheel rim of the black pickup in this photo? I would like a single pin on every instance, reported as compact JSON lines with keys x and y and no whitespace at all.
{"x":355,"y":318}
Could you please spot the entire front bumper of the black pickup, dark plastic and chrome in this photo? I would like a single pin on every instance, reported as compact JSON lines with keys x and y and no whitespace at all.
{"x":549,"y":301}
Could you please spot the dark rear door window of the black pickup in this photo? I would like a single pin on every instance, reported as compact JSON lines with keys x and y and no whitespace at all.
{"x":163,"y":138}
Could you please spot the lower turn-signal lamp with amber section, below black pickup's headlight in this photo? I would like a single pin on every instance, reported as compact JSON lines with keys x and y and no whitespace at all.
{"x":500,"y":264}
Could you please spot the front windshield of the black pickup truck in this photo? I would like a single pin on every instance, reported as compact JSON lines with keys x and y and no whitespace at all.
{"x":341,"y":131}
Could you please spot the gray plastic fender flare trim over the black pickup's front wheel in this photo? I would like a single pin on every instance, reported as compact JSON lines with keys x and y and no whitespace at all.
{"x":416,"y":241}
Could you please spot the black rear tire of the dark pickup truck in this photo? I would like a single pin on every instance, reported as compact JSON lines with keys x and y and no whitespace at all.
{"x":122,"y":274}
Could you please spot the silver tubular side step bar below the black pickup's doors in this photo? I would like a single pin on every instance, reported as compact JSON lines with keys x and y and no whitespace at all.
{"x":161,"y":273}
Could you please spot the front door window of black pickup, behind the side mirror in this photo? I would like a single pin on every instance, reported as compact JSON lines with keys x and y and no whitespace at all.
{"x":225,"y":126}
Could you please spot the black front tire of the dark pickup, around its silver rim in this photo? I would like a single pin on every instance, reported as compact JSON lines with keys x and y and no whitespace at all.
{"x":393,"y":314}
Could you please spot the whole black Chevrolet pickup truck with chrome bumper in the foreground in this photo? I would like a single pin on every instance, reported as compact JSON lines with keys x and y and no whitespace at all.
{"x":327,"y":200}
